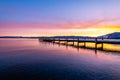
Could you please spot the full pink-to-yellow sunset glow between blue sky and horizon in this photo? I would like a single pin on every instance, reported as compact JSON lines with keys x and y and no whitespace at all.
{"x":87,"y":29}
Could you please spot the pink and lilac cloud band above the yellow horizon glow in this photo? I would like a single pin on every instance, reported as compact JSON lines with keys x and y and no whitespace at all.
{"x":60,"y":24}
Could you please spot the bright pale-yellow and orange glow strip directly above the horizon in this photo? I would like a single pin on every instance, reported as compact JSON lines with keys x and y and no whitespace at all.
{"x":70,"y":32}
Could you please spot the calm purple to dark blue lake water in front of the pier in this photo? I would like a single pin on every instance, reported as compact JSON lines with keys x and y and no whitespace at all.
{"x":30,"y":59}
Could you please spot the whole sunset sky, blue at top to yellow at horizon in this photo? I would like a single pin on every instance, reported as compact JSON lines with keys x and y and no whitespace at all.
{"x":59,"y":17}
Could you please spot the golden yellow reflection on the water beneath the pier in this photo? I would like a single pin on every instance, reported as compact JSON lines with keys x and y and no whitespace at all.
{"x":104,"y":47}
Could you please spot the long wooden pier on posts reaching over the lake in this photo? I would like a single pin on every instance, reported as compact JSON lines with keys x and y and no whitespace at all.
{"x":95,"y":40}
